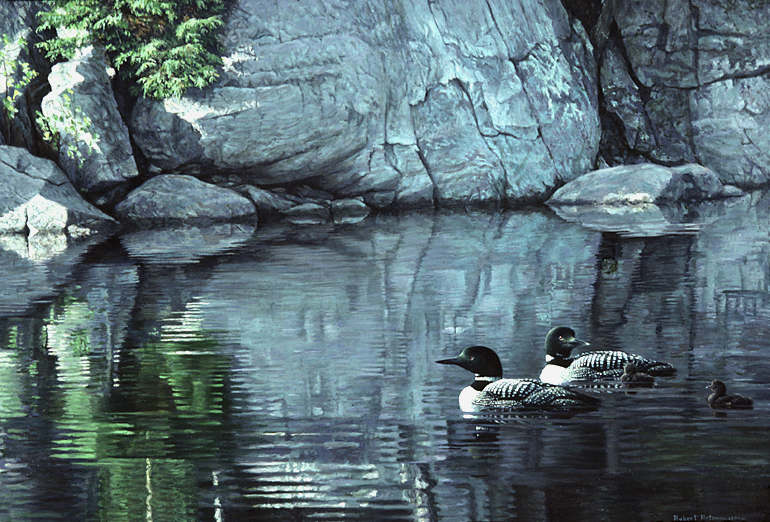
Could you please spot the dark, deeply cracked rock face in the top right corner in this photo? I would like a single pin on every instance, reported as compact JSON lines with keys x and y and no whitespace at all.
{"x":687,"y":82}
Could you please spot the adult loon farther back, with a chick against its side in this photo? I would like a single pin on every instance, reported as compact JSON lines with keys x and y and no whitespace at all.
{"x":561,"y":367}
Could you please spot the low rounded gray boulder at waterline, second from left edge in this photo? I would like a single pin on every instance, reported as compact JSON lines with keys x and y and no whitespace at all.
{"x":174,"y":198}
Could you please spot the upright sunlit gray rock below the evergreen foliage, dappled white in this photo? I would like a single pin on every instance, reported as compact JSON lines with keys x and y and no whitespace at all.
{"x":81,"y":88}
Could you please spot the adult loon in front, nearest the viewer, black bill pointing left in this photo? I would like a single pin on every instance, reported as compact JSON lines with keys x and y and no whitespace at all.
{"x":490,"y":390}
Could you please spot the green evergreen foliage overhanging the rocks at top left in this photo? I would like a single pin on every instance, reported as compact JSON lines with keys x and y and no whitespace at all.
{"x":166,"y":46}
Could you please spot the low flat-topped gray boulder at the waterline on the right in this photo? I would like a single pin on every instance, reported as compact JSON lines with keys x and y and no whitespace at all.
{"x":640,"y":185}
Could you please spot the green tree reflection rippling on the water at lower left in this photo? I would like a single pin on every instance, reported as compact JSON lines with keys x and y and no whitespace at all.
{"x":136,"y":411}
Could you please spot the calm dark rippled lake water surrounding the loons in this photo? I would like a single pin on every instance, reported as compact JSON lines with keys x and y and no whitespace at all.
{"x":288,"y":373}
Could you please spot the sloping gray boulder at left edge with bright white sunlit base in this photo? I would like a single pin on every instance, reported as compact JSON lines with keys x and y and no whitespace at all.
{"x":36,"y":197}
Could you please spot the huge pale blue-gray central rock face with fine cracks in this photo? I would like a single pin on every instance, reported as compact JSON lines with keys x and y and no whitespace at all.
{"x":399,"y":103}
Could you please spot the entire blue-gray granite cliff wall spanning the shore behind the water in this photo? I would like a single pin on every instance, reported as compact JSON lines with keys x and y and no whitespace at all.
{"x":387,"y":105}
